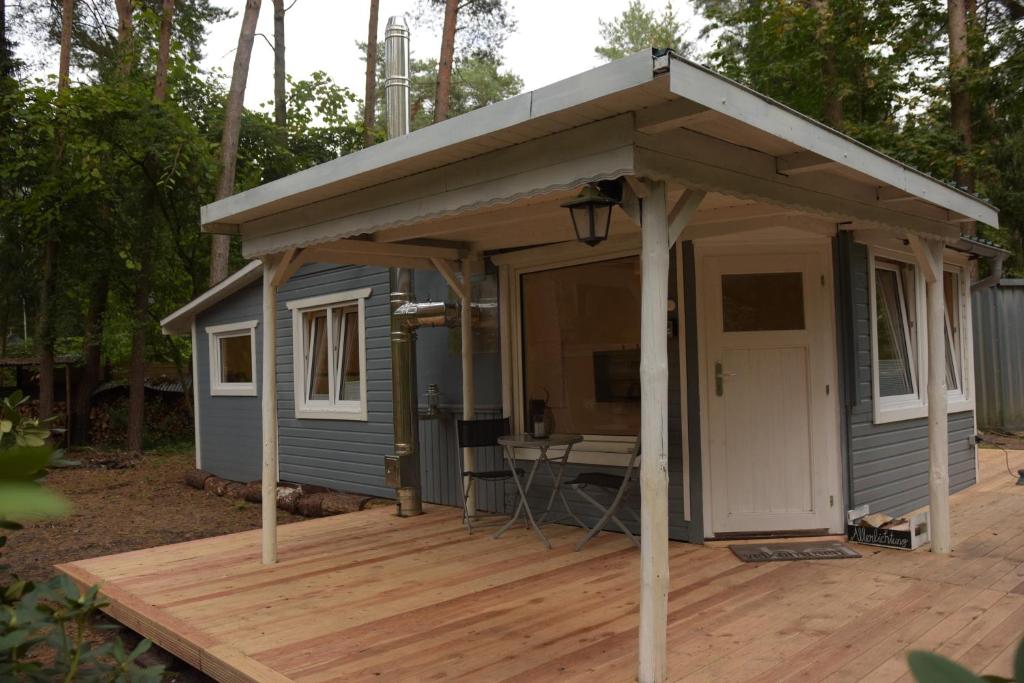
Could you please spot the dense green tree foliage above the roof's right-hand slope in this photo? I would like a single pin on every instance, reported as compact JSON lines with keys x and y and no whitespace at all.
{"x":886,"y":65}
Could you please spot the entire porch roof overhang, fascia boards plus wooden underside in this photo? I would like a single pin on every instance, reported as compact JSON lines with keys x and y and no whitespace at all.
{"x":648,"y":115}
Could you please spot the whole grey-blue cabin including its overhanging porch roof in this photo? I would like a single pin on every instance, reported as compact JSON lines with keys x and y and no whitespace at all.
{"x":815,"y":354}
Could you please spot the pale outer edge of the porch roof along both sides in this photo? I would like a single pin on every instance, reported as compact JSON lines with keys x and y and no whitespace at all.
{"x":621,"y":87}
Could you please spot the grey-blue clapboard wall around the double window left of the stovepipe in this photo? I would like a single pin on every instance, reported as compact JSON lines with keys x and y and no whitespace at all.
{"x":347,"y":455}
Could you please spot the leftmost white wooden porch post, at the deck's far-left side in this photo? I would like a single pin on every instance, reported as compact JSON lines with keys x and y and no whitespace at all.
{"x":270,"y":414}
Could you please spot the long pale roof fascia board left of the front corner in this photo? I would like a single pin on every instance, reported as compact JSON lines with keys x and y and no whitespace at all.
{"x":594,"y":84}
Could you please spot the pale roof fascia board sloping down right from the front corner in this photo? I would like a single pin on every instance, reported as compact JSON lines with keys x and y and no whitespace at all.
{"x":731,"y":99}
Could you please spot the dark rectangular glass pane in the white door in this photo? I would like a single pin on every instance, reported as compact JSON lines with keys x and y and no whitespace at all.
{"x":763,"y":303}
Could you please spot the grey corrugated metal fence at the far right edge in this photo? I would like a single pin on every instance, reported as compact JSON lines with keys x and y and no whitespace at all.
{"x":999,"y":356}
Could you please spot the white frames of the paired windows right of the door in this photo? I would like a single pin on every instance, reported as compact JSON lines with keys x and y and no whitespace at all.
{"x":897,"y":409}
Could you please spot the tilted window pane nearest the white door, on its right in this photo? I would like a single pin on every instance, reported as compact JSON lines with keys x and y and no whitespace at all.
{"x":892,"y":328}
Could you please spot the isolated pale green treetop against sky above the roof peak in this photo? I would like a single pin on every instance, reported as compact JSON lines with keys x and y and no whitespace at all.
{"x":637,"y":29}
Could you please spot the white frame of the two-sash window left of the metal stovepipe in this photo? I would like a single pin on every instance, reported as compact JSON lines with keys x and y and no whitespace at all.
{"x":330,"y":409}
